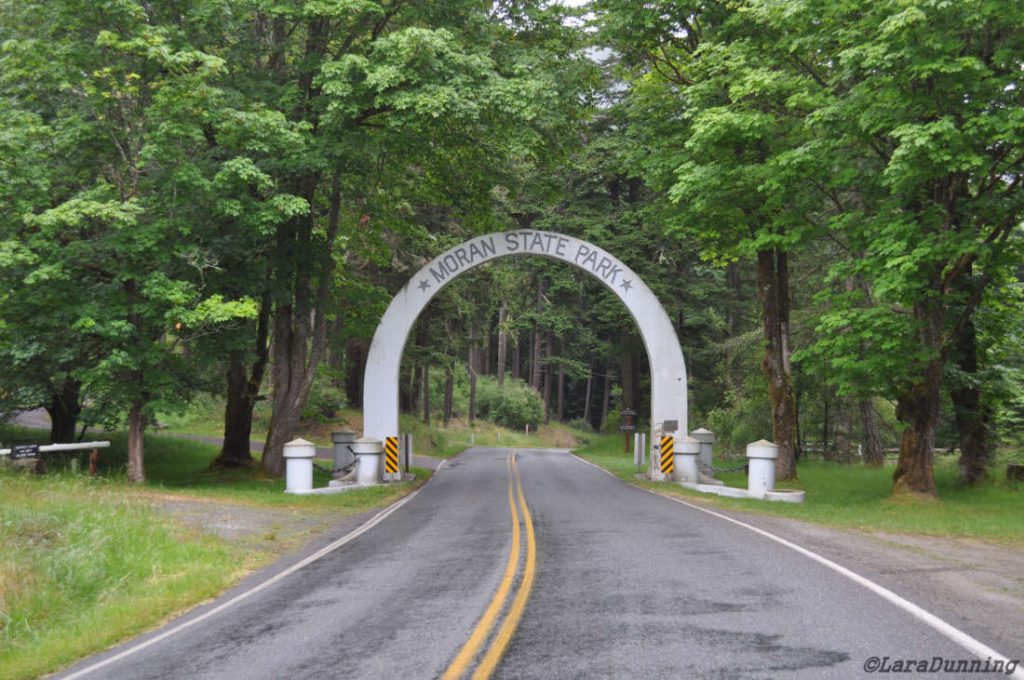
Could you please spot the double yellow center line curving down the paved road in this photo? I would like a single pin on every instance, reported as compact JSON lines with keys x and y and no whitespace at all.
{"x":502,"y":640}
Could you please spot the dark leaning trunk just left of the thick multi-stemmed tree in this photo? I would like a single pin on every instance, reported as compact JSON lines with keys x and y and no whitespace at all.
{"x":243,"y":394}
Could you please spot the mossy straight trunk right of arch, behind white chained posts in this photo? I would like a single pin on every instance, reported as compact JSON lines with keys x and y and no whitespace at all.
{"x":774,"y":283}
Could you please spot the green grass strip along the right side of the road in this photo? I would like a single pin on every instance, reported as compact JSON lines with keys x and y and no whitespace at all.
{"x":861,"y":498}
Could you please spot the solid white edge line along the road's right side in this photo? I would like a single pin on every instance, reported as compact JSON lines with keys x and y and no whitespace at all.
{"x":976,"y":648}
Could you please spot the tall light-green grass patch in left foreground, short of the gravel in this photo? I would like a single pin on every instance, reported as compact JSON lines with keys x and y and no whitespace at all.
{"x":86,"y":566}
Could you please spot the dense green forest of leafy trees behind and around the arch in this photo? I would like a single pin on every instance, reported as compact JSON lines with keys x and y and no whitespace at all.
{"x":220,"y":197}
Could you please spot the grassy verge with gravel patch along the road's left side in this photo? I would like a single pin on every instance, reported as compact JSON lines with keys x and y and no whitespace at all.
{"x":90,"y":563}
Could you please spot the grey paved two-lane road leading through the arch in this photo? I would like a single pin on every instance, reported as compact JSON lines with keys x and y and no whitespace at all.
{"x":627,"y":585}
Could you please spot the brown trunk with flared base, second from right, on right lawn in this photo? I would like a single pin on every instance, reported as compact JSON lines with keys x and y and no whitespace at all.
{"x":919,"y":406}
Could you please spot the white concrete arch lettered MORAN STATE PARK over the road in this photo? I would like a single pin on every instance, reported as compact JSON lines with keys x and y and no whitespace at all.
{"x":380,"y":396}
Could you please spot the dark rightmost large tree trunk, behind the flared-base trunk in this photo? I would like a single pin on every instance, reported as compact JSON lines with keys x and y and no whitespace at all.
{"x":970,"y":412}
